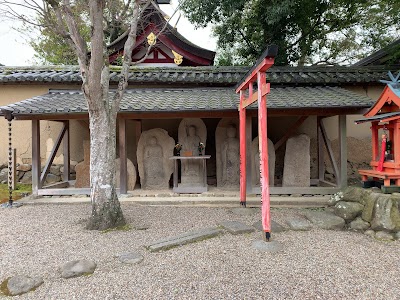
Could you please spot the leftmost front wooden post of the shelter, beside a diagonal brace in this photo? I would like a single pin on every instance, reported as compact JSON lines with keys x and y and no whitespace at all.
{"x":36,"y":165}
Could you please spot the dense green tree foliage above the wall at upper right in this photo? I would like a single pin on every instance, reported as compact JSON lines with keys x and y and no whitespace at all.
{"x":306,"y":31}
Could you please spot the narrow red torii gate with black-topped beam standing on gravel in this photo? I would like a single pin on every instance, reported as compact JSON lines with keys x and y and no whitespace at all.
{"x":257,"y":75}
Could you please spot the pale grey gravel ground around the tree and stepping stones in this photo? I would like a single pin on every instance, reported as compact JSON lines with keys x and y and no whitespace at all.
{"x":36,"y":240}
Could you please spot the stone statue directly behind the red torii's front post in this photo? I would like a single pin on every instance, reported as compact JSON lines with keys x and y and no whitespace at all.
{"x":255,"y":162}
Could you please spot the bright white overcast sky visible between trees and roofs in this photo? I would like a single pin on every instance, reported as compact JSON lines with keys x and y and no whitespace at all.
{"x":15,"y":50}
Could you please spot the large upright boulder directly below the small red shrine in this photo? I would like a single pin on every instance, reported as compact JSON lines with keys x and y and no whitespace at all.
{"x":381,"y":219}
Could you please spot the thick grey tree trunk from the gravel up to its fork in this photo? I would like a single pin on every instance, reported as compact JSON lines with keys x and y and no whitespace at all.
{"x":106,"y":209}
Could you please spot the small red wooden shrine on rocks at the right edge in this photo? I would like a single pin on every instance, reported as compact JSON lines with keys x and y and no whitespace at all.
{"x":385,"y":118}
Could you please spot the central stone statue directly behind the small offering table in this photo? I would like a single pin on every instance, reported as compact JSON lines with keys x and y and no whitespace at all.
{"x":191,"y":132}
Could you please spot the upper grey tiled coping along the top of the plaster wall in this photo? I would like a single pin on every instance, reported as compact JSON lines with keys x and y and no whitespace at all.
{"x":206,"y":76}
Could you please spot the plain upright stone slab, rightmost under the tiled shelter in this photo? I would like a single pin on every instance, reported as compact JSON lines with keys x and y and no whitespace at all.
{"x":296,"y":172}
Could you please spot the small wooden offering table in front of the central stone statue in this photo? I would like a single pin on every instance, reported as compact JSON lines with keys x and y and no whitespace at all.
{"x":195,"y":189}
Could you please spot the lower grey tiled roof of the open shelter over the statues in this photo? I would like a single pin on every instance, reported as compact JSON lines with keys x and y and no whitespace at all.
{"x":212,"y":99}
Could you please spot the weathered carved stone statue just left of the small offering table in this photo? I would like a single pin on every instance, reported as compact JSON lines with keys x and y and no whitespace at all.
{"x":155,"y":147}
